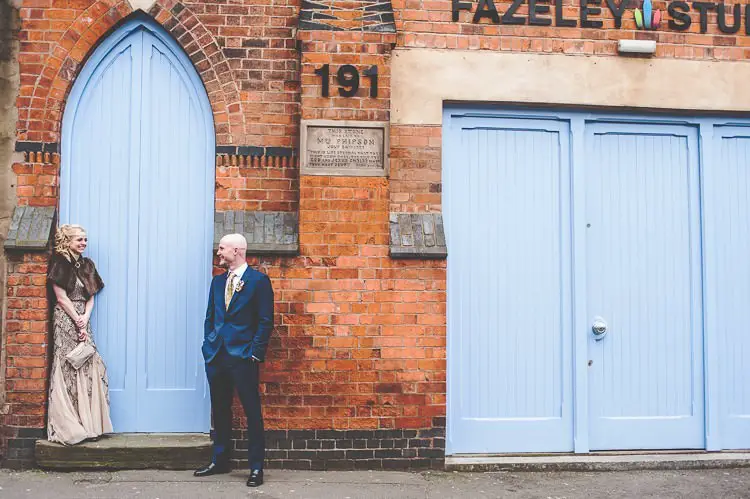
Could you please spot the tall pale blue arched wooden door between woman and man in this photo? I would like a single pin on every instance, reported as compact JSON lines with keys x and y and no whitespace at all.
{"x":137,"y":172}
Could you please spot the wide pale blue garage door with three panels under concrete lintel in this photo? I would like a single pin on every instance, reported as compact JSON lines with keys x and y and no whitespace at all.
{"x":582,"y":249}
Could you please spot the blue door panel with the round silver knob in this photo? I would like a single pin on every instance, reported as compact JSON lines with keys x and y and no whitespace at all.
{"x":643,"y":278}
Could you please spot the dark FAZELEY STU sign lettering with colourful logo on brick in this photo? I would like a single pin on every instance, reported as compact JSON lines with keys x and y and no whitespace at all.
{"x":550,"y":12}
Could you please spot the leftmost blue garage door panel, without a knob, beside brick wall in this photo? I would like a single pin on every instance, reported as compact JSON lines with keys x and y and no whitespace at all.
{"x":507,"y":181}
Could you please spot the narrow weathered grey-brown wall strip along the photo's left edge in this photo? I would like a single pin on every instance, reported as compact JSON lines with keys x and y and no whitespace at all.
{"x":9,"y":83}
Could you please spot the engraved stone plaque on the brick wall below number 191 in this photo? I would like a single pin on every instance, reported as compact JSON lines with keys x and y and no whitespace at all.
{"x":347,"y":148}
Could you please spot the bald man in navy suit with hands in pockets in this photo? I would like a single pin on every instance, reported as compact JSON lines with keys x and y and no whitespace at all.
{"x":239,"y":321}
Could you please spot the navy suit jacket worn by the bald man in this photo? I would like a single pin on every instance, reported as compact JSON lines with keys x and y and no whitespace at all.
{"x":245,"y":327}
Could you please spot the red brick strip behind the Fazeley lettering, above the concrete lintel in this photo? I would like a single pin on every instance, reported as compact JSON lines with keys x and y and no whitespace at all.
{"x":428,"y":23}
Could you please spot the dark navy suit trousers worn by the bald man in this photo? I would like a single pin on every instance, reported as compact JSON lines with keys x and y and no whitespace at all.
{"x":225,"y":373}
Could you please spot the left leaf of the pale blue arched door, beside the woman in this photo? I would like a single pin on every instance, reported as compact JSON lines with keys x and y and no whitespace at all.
{"x":96,"y":164}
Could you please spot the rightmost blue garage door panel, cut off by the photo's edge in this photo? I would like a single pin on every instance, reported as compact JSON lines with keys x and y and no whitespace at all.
{"x":727,"y":246}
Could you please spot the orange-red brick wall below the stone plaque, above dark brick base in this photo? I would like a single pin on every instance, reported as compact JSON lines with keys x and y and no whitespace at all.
{"x":360,"y":342}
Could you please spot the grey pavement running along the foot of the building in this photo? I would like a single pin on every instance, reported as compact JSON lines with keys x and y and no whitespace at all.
{"x":153,"y":484}
